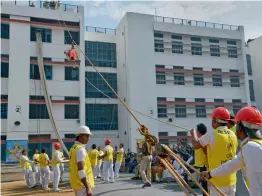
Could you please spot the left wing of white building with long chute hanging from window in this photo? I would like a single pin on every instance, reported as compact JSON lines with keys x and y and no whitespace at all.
{"x":24,"y":114}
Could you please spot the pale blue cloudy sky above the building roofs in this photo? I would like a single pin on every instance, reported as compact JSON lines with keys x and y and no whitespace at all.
{"x":107,"y":14}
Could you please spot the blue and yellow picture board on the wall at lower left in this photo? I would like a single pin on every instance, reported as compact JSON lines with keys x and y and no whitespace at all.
{"x":14,"y":149}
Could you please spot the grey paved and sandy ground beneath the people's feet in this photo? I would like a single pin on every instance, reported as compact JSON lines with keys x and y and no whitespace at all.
{"x":122,"y":187}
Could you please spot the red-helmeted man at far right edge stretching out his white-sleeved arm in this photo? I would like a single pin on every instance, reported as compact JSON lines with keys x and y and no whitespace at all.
{"x":248,"y":119}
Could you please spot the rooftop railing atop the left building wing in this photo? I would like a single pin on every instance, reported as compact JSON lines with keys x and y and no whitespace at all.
{"x":53,"y":5}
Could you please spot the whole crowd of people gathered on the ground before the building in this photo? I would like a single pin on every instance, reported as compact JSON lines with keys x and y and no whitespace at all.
{"x":213,"y":152}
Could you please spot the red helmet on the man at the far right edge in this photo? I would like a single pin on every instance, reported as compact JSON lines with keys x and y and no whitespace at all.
{"x":250,"y":115}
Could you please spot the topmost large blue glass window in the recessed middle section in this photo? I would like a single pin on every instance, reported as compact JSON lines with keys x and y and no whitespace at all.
{"x":101,"y":54}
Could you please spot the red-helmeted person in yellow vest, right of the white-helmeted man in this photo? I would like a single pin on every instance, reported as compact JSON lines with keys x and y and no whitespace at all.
{"x":108,"y":162}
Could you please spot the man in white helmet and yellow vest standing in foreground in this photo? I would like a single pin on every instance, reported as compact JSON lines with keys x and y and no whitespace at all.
{"x":81,"y":175}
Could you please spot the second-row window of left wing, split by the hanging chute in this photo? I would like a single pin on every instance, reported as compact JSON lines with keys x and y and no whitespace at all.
{"x":34,"y":72}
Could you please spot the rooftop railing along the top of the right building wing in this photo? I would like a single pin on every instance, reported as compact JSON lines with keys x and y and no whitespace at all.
{"x":196,"y":23}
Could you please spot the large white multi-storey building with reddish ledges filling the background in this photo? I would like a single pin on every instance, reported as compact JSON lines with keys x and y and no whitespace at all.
{"x":174,"y":70}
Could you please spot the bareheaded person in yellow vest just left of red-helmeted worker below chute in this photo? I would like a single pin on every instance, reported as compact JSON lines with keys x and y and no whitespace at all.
{"x":44,"y":162}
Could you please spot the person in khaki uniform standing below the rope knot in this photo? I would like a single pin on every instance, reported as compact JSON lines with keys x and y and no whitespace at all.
{"x":145,"y":165}
